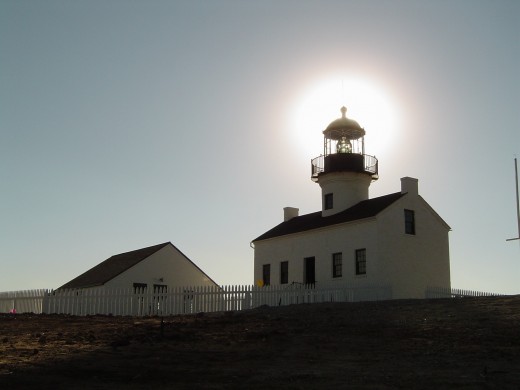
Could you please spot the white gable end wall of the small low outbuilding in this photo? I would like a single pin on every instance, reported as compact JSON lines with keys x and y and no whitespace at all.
{"x":167,"y":264}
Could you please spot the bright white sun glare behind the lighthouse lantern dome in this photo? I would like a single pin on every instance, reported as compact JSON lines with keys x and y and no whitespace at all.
{"x":367,"y":103}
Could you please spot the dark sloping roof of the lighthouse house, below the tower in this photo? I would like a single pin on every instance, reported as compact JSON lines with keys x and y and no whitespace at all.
{"x":365,"y":209}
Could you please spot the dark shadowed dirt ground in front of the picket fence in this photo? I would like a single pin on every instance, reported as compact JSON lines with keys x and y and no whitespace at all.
{"x":468,"y":343}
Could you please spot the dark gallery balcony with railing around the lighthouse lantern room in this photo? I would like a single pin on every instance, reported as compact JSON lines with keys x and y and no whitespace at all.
{"x":344,"y":162}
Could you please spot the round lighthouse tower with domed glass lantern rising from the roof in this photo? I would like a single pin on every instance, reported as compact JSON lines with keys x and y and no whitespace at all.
{"x":344,"y":172}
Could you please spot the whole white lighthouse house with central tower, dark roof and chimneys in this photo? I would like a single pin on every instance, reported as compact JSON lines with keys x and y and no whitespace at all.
{"x":395,"y":240}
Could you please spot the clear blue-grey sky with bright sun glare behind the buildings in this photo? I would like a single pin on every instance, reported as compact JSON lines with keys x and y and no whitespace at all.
{"x":125,"y":124}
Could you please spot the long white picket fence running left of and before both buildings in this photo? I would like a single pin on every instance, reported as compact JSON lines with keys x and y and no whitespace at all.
{"x":185,"y":300}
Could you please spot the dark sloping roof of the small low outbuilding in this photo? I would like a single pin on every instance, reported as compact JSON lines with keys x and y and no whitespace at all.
{"x":110,"y":268}
